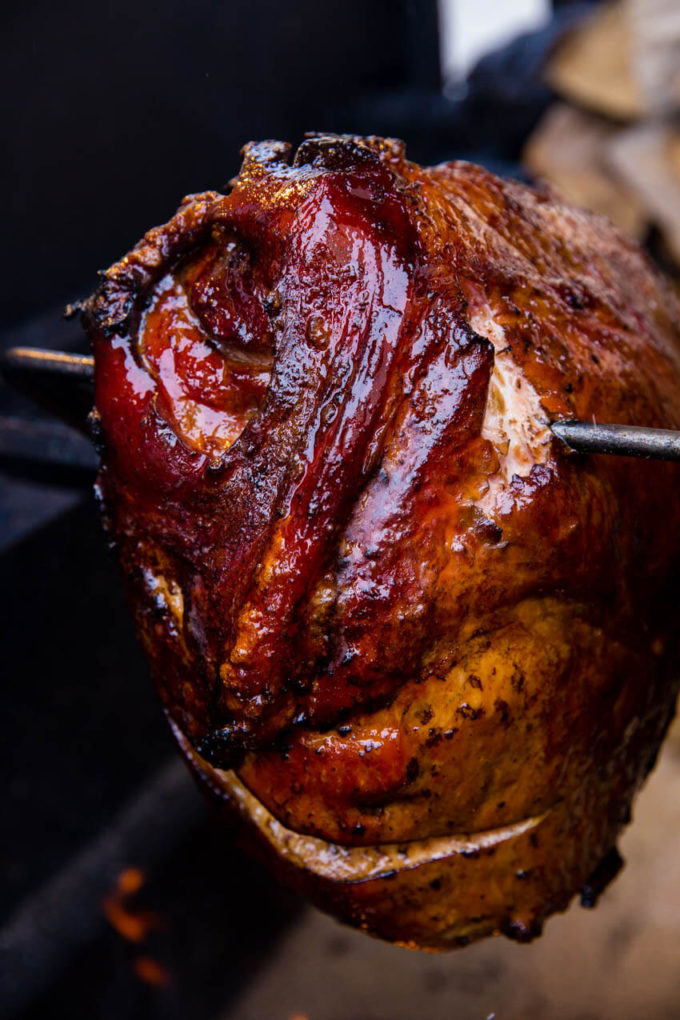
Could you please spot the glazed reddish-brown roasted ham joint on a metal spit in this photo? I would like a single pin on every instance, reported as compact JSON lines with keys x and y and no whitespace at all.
{"x":422,"y":651}
